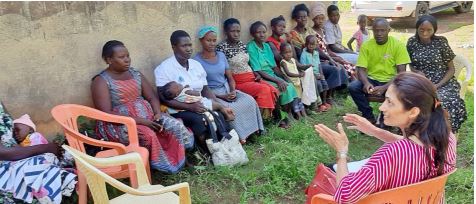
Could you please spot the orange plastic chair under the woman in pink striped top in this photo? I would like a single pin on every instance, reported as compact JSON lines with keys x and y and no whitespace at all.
{"x":428,"y":191}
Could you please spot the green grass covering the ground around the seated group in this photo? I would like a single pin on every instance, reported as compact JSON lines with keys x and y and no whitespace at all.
{"x":282,"y":164}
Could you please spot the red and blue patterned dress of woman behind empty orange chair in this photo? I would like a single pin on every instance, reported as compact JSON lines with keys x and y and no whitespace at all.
{"x":166,"y":148}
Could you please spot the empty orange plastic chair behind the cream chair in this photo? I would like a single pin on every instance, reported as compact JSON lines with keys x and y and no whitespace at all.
{"x":67,"y":115}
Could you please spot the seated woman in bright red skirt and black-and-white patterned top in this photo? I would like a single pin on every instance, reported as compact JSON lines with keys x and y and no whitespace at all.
{"x":245,"y":79}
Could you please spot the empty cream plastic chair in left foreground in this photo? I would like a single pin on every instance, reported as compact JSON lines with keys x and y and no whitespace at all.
{"x":145,"y":193}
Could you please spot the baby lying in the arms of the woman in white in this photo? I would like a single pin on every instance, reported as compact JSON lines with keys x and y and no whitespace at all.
{"x":174,"y":90}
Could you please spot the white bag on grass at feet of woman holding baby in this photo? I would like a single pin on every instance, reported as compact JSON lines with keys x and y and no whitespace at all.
{"x":227,"y":151}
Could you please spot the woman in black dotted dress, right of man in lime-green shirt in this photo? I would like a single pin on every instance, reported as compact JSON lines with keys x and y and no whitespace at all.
{"x":432,"y":56}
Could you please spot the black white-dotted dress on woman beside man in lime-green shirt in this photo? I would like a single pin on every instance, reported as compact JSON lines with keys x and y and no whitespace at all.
{"x":432,"y":60}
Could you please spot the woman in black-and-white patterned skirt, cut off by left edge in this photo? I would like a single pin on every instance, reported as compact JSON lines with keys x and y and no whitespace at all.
{"x":22,"y":167}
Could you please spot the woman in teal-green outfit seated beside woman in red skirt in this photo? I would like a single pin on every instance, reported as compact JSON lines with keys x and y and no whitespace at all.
{"x":262,"y":61}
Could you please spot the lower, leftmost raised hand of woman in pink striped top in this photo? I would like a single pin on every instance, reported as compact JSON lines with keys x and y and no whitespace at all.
{"x":337,"y":140}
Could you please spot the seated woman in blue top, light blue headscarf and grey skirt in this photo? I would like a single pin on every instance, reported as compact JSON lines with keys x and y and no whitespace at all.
{"x":247,"y":114}
